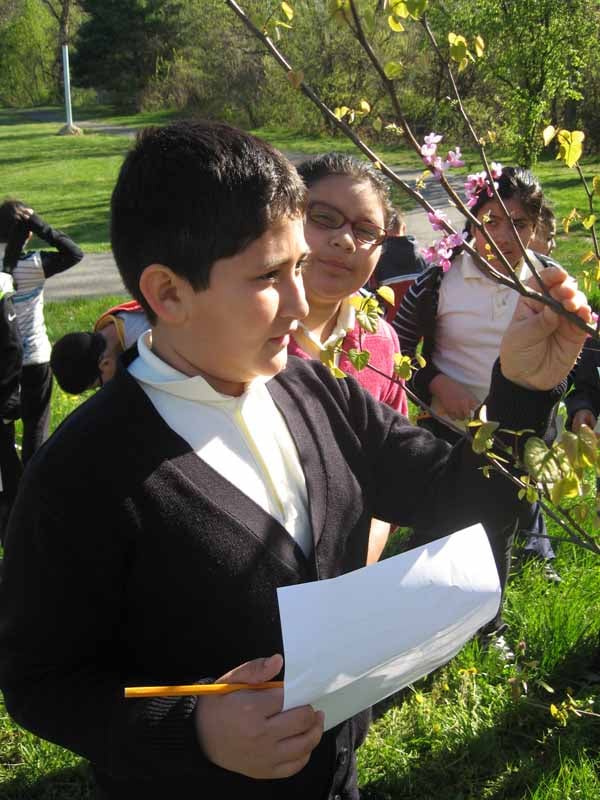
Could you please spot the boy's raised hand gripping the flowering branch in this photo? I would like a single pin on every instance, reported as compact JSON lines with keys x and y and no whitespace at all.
{"x":539,"y":347}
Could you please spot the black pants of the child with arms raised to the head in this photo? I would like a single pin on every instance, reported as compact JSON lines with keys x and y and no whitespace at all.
{"x":36,"y":390}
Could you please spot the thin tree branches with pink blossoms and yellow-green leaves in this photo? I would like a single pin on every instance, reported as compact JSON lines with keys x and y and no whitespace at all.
{"x":550,"y":475}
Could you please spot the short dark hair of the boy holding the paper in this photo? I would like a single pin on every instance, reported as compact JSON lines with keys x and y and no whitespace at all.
{"x":193,"y":192}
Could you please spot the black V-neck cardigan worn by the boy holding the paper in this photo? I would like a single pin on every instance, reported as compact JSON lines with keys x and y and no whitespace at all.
{"x":130,"y":561}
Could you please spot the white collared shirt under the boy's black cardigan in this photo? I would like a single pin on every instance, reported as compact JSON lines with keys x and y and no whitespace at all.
{"x":245,"y":439}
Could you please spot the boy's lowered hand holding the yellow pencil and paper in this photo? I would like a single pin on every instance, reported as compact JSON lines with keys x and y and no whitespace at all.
{"x":247,"y":732}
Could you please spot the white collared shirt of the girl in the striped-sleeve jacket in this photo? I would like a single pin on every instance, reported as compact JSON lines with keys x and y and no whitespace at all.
{"x":473,"y":313}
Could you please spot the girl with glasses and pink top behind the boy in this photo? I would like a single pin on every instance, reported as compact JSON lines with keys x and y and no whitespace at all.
{"x":347,"y":220}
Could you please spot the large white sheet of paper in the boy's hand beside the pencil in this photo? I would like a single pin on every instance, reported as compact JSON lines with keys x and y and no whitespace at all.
{"x":352,"y":641}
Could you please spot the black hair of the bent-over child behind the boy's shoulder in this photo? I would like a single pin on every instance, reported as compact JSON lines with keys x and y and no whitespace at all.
{"x":74,"y":361}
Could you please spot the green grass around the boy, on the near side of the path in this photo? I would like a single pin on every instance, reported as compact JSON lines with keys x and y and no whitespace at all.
{"x":478,"y":729}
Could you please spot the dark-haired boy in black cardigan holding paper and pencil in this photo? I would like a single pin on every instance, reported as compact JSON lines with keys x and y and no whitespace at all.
{"x":154,"y":528}
